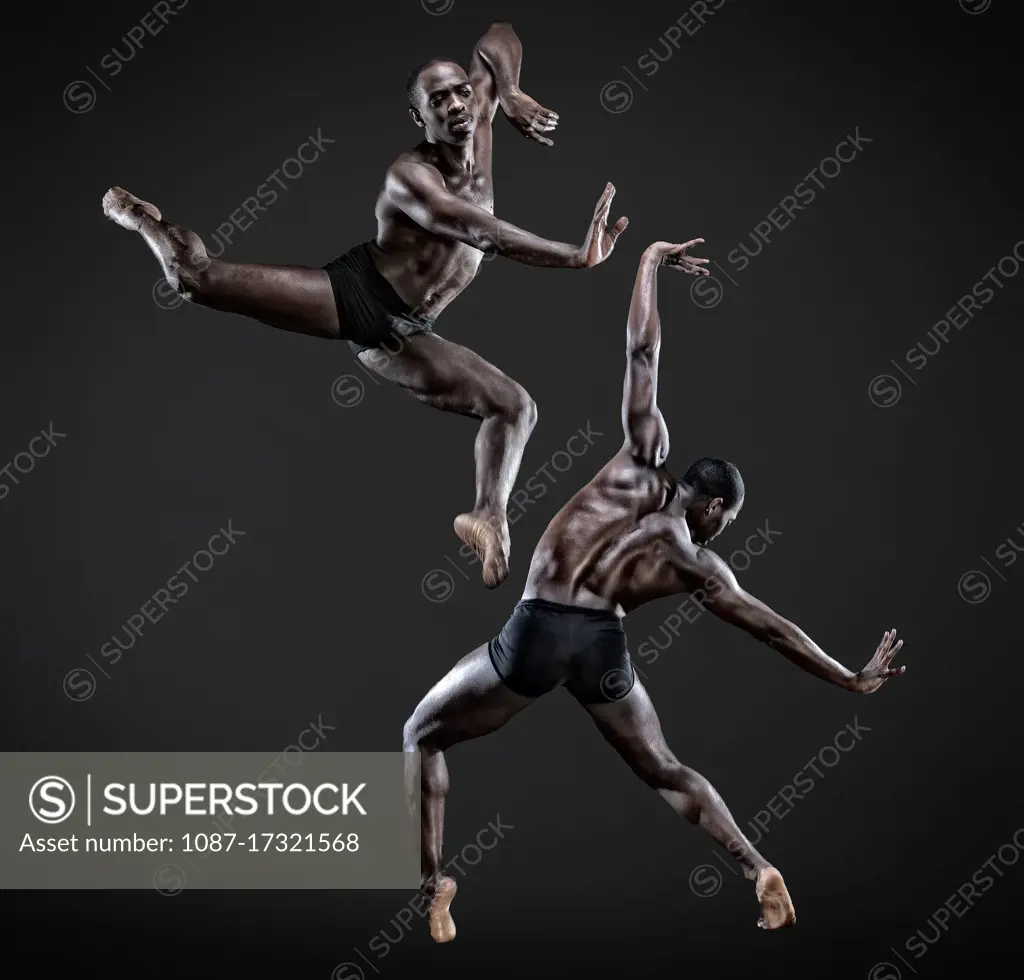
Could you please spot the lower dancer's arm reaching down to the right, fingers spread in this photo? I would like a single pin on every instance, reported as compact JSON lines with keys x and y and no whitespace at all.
{"x":723,"y":595}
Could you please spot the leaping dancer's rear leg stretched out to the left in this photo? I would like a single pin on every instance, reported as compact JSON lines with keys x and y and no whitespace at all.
{"x":289,"y":297}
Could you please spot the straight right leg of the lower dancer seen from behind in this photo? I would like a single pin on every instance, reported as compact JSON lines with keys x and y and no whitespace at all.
{"x":632,"y":728}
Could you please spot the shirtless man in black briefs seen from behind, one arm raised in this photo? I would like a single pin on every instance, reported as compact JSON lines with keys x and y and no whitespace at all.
{"x":632,"y":535}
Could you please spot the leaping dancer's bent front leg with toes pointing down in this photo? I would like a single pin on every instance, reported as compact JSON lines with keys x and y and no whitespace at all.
{"x":453,"y":378}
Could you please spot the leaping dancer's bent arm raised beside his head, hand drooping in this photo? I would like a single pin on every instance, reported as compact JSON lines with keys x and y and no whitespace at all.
{"x":495,"y":74}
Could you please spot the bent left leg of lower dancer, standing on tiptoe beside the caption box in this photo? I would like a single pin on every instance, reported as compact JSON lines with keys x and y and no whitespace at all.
{"x":471,"y":701}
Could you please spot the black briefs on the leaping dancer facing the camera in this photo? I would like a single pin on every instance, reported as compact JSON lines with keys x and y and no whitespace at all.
{"x":370,"y":312}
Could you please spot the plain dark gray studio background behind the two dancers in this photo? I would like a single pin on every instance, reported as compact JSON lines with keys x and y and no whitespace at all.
{"x":178,"y":421}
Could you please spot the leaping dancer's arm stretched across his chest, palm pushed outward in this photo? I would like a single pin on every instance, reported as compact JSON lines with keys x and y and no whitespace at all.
{"x":419,"y":191}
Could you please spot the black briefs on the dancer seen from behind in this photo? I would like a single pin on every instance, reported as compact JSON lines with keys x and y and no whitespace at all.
{"x":545,"y":645}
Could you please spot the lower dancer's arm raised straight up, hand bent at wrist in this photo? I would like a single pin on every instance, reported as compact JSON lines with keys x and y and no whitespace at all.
{"x":647,"y":434}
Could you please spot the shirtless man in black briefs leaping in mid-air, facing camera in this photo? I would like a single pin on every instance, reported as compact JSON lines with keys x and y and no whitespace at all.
{"x":435,"y":222}
